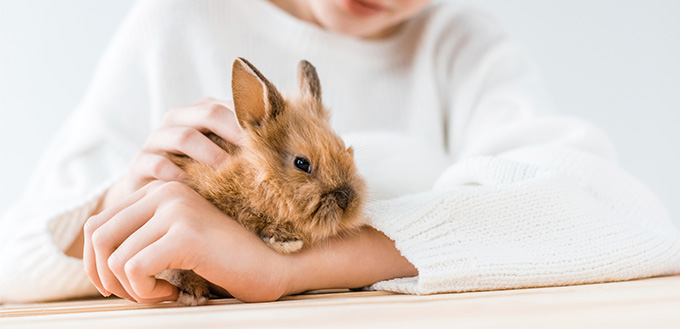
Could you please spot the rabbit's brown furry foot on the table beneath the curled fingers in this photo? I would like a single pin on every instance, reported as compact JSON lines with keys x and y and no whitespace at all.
{"x":193,"y":289}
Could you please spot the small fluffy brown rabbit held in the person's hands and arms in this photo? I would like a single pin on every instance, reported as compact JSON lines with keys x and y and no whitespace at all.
{"x":293,"y":182}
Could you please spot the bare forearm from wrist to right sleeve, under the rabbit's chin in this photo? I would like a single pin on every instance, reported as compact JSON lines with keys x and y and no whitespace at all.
{"x":357,"y":260}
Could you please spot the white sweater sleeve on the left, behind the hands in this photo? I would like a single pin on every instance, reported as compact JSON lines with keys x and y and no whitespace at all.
{"x":94,"y":146}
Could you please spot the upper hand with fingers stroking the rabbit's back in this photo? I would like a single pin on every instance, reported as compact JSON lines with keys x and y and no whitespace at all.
{"x":181,"y":132}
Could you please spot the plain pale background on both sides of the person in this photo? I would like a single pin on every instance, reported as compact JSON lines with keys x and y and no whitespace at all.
{"x":613,"y":62}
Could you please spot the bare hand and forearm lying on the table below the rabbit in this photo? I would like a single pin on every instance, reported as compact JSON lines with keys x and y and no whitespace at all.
{"x":170,"y":226}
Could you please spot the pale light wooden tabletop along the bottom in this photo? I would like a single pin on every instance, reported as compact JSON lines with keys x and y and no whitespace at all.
{"x":649,"y":303}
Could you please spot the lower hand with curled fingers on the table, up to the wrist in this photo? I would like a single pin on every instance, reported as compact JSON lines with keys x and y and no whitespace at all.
{"x":169,"y":226}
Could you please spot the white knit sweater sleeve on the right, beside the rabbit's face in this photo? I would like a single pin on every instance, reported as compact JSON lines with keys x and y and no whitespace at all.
{"x":530,"y":200}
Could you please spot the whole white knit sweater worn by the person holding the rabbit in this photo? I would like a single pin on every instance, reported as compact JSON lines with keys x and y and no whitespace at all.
{"x":478,"y":187}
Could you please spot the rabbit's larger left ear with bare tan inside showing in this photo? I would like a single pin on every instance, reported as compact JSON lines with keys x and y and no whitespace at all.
{"x":256,"y":100}
